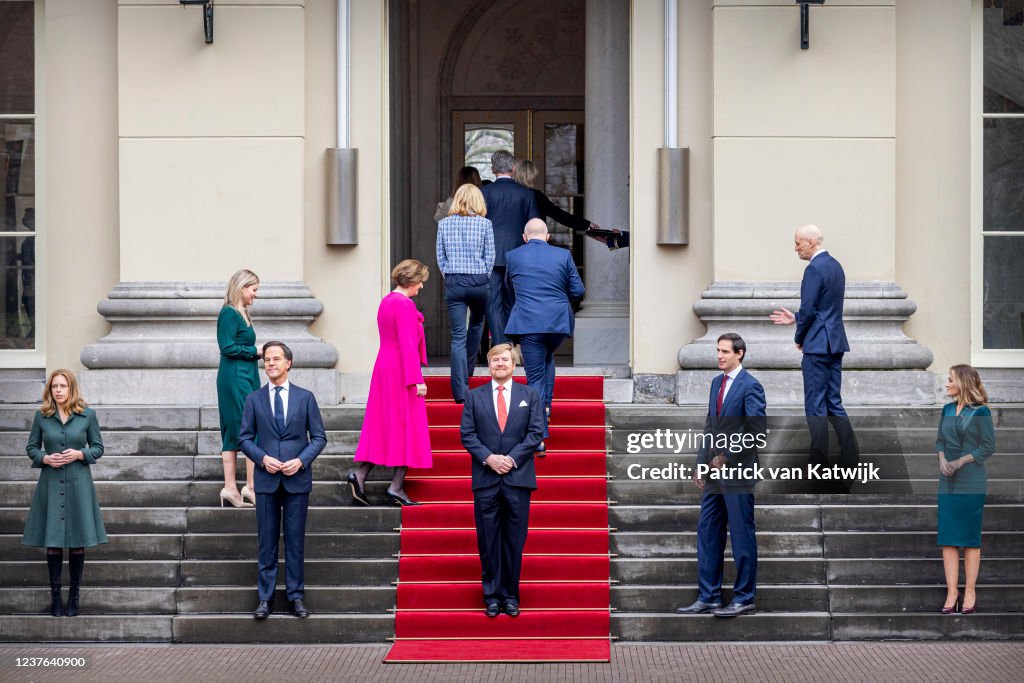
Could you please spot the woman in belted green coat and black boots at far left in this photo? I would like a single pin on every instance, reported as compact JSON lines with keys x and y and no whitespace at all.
{"x":64,"y":443}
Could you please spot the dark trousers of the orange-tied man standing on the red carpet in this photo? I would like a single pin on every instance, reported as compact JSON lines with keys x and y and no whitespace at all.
{"x":502,"y":515}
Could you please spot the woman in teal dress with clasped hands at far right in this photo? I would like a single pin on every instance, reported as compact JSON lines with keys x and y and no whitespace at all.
{"x":966,"y":441}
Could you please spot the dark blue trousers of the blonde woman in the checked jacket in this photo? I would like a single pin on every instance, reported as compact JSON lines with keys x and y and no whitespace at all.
{"x":462,"y":293}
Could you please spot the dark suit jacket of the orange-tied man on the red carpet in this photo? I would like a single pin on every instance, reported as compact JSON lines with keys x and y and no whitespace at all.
{"x":524,"y":433}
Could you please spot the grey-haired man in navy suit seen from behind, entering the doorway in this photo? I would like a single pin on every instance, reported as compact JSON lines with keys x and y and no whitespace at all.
{"x":509,"y":207}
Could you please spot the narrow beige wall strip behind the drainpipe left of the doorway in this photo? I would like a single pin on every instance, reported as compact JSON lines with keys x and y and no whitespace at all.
{"x":351,"y":281}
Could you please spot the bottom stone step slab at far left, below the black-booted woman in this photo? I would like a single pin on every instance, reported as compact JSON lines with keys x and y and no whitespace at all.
{"x":88,"y":628}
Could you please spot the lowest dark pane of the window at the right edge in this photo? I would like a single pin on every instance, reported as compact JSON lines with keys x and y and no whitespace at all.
{"x":1004,"y":293}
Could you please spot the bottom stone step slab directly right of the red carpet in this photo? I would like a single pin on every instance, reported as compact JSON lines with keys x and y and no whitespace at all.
{"x":705,"y":628}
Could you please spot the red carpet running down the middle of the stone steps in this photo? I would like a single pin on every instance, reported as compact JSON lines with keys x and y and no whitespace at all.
{"x":566,"y":589}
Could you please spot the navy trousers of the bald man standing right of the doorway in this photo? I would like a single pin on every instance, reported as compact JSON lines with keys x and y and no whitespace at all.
{"x":824,"y":405}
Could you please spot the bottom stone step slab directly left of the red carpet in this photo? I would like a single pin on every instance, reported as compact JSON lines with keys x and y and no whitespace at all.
{"x":282,"y":628}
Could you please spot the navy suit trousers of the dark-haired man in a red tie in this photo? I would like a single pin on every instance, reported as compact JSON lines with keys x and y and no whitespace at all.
{"x":718,"y":511}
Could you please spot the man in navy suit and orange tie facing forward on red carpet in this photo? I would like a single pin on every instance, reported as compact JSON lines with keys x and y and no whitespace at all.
{"x":502,"y":424}
